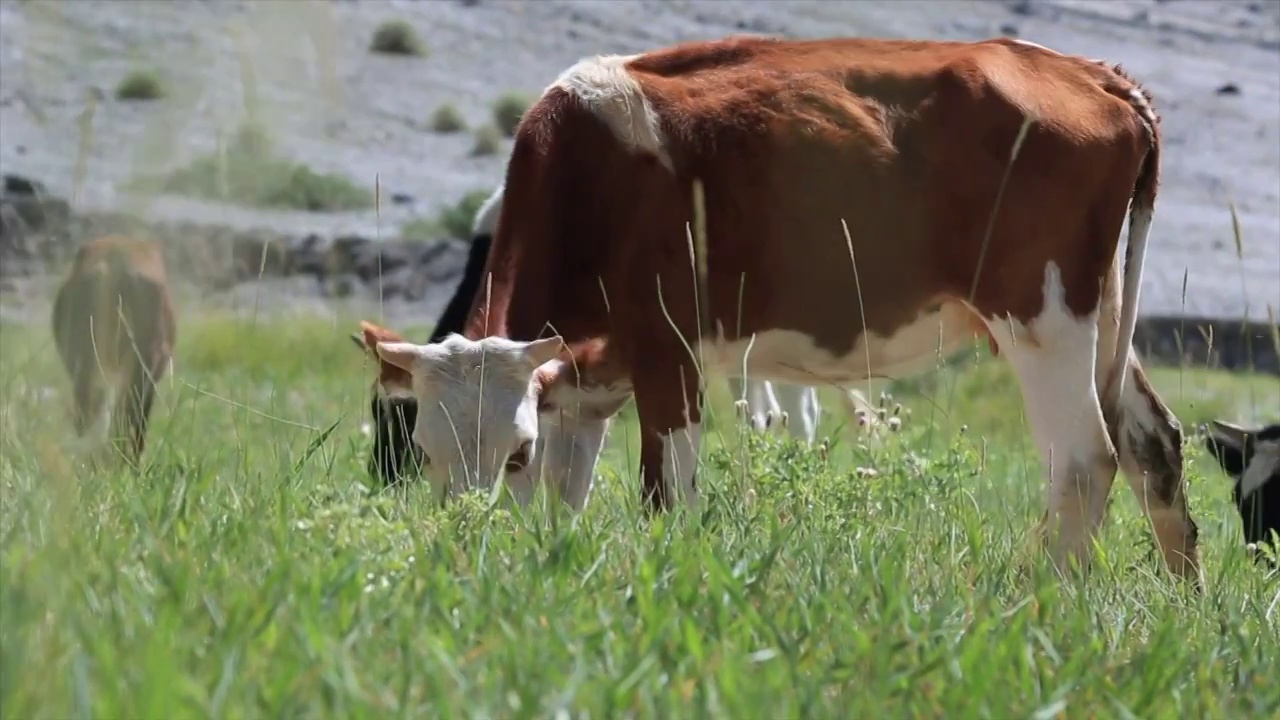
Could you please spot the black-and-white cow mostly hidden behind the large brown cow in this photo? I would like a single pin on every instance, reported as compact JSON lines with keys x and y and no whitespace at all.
{"x":395,"y":411}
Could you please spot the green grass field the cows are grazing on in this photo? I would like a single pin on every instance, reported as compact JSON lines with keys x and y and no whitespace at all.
{"x":249,"y":573}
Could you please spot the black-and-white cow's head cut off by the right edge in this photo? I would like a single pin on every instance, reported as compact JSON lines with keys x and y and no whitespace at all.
{"x":1252,"y":458}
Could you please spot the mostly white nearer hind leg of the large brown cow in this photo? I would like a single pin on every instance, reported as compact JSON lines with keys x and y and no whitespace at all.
{"x":1054,"y":359}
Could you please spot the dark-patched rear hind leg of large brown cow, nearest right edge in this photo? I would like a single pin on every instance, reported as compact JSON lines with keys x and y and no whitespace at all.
{"x":1150,"y":441}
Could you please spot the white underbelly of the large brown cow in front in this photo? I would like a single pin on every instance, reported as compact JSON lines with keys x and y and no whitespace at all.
{"x":793,"y":357}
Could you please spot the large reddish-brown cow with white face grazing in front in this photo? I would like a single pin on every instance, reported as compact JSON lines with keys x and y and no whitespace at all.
{"x":870,"y":206}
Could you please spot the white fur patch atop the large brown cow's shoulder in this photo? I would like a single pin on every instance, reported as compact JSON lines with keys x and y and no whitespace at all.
{"x":609,"y":90}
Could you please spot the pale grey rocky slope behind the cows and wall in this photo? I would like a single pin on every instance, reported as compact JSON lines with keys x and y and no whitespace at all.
{"x":1213,"y":66}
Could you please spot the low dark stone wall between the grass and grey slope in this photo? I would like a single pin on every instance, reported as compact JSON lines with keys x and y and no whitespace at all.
{"x":39,"y":234}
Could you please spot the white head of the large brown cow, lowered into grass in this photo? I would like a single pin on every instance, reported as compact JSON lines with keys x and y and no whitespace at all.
{"x":478,"y":405}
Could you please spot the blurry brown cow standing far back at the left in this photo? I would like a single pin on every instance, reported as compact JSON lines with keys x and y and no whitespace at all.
{"x":115,"y":329}
